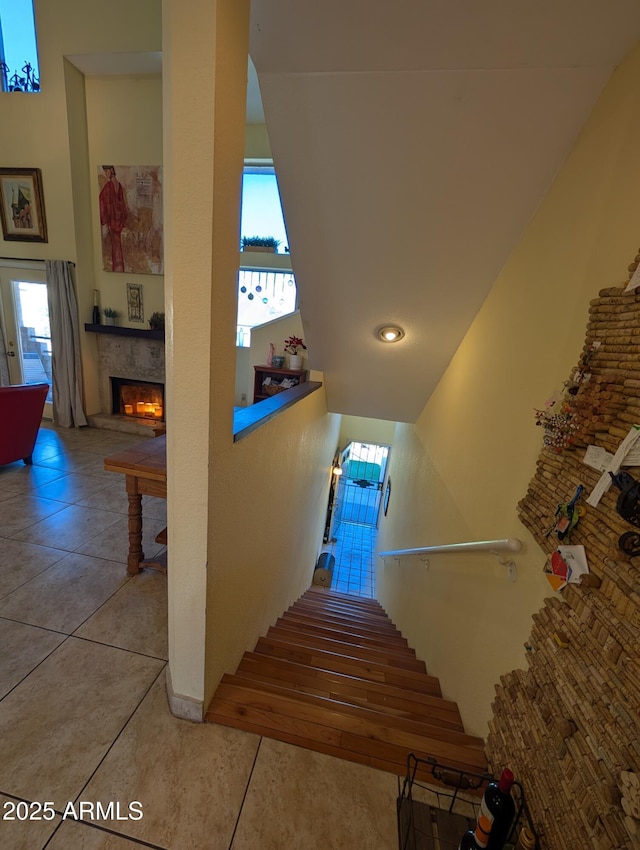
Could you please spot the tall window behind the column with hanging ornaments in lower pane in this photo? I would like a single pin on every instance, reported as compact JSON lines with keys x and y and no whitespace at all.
{"x":264,"y":294}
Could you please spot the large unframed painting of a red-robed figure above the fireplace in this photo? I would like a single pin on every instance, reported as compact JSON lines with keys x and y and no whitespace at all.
{"x":130,"y":202}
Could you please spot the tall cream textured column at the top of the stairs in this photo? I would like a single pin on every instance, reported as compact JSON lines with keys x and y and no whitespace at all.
{"x":195,"y":42}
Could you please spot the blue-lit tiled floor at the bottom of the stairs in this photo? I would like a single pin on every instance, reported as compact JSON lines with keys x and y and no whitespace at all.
{"x":354,"y":551}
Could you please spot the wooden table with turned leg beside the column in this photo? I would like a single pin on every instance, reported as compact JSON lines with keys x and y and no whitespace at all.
{"x":145,"y":469}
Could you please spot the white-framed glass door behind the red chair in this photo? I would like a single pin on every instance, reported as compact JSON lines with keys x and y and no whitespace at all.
{"x":24,"y":311}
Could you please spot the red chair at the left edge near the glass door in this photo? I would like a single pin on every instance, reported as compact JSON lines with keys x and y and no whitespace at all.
{"x":21,"y":409}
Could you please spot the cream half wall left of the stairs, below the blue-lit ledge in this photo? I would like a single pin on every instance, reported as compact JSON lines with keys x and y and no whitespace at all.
{"x":267,"y":519}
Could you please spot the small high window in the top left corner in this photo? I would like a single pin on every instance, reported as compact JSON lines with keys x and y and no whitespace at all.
{"x":19,"y":70}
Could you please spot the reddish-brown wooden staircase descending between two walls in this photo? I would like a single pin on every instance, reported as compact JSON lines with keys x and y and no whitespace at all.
{"x":335,"y":675}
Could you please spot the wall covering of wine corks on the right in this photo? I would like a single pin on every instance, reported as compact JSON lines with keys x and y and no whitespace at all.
{"x":569,"y":725}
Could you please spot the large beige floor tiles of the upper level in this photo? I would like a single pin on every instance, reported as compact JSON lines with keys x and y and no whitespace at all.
{"x":83,"y":710}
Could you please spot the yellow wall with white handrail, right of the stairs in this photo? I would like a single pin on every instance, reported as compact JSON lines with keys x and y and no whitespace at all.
{"x":458,"y":474}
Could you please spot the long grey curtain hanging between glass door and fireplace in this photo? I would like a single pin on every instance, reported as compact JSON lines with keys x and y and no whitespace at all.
{"x":66,"y":364}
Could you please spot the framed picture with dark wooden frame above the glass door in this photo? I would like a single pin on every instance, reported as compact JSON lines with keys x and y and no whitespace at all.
{"x":22,"y":205}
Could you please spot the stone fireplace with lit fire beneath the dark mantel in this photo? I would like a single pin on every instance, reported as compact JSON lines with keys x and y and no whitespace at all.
{"x":131,"y":375}
